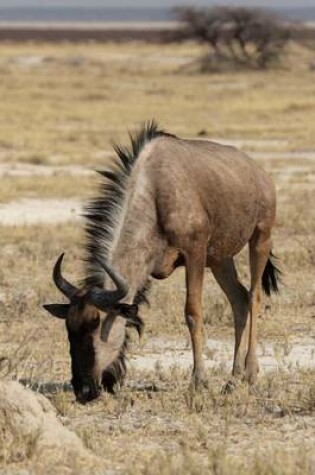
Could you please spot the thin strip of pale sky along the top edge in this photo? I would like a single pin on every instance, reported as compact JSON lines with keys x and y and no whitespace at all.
{"x":154,"y":3}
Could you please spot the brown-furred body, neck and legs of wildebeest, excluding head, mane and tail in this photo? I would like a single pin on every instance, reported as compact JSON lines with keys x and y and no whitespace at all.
{"x":199,"y":203}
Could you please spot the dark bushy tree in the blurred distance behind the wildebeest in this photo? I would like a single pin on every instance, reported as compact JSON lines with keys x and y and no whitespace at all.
{"x":242,"y":36}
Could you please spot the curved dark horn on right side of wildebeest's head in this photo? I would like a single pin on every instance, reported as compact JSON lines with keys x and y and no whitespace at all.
{"x":103,"y":298}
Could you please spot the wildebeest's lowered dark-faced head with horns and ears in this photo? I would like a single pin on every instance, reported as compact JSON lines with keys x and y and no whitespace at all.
{"x":96,"y":322}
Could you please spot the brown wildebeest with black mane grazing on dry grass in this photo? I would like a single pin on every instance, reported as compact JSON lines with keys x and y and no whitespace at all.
{"x":168,"y":202}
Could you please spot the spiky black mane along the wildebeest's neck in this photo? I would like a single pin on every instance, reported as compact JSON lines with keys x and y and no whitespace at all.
{"x":102,"y":212}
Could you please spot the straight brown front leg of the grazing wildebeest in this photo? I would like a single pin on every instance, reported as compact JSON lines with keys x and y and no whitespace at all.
{"x":195,"y":265}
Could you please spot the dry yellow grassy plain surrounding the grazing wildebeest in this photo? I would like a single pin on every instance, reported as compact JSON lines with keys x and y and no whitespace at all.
{"x":62,"y":105}
